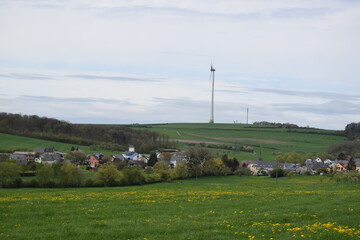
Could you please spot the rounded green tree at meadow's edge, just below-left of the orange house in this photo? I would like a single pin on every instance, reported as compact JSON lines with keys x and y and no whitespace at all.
{"x":70,"y":175}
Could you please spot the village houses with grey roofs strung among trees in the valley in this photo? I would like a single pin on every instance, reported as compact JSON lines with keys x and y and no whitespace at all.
{"x":171,"y":158}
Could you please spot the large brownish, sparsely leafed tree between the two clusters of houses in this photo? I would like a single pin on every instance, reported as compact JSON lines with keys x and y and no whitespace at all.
{"x":197,"y":156}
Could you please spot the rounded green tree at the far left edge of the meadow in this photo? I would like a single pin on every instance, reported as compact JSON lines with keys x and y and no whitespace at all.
{"x":9,"y":173}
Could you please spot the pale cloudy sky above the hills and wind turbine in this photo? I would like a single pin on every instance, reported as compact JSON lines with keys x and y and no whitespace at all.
{"x":148,"y":61}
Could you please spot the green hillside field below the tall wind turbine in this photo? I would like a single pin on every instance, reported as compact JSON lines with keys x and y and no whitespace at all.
{"x":270,"y":140}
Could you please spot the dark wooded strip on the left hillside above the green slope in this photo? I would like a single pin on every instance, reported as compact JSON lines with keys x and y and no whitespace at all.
{"x":111,"y":137}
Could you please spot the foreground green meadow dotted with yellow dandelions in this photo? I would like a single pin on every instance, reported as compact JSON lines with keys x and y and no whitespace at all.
{"x":208,"y":208}
